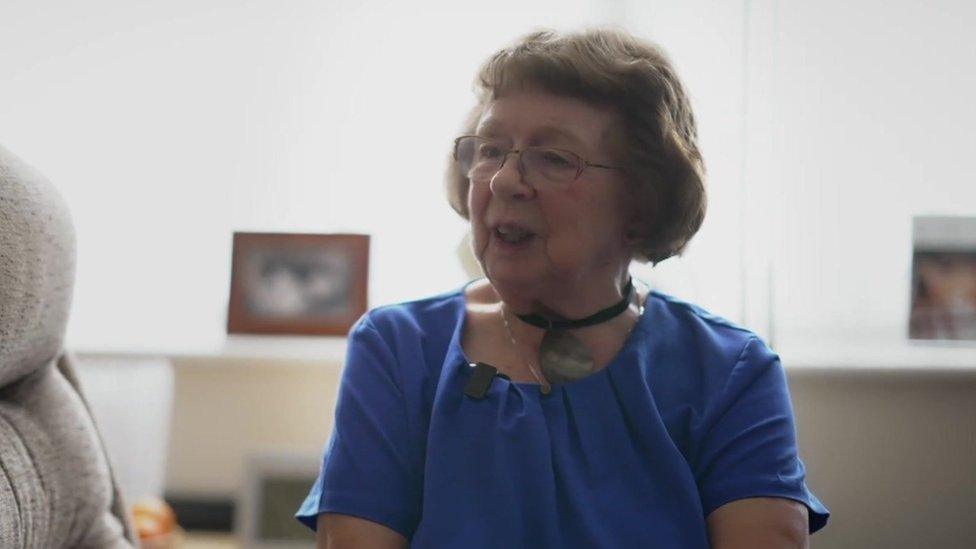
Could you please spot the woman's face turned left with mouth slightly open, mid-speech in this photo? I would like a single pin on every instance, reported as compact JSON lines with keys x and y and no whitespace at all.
{"x":528,"y":232}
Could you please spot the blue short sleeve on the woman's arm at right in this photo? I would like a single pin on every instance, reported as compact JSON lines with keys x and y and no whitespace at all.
{"x":749,"y":448}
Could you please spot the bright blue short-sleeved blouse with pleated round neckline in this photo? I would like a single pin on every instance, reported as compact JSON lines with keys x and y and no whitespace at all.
{"x":691,"y":414}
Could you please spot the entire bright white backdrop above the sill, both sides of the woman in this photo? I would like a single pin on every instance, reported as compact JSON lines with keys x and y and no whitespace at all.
{"x":170,"y":125}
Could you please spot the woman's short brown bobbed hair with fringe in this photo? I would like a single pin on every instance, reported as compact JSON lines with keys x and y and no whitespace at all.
{"x":609,"y":67}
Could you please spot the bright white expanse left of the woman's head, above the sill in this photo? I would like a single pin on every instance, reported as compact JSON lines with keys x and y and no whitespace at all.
{"x":170,"y":125}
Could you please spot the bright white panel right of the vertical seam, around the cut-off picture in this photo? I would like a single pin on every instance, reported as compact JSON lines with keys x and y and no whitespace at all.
{"x":867,"y":119}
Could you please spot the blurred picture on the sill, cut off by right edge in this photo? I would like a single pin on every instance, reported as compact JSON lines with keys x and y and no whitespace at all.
{"x":943,"y":305}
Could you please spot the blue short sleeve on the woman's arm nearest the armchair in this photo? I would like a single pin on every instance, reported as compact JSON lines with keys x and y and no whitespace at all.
{"x":369,"y":468}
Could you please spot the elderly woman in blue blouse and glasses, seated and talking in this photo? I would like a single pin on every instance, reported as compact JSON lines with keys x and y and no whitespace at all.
{"x":556,"y":403}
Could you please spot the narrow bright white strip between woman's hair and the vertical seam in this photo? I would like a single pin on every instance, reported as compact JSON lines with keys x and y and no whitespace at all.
{"x":705,"y":41}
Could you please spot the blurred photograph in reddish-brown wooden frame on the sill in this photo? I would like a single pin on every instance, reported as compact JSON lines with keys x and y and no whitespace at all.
{"x":303,"y":284}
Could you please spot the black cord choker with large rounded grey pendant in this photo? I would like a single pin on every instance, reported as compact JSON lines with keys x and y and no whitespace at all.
{"x":562,"y":356}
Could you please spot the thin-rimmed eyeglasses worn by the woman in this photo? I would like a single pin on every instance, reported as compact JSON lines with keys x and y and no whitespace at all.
{"x":480,"y":158}
